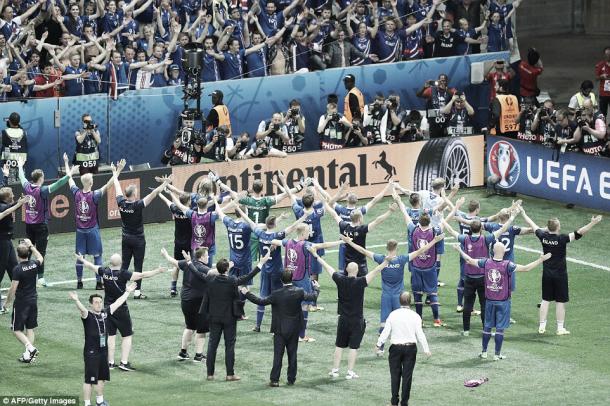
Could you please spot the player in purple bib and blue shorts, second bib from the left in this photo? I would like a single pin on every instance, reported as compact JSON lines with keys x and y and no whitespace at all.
{"x":88,"y":239}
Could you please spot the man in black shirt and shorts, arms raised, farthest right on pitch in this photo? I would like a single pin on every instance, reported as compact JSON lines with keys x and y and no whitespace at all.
{"x":554,"y":270}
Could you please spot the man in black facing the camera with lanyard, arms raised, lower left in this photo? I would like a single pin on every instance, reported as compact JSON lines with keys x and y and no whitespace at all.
{"x":95,"y":352}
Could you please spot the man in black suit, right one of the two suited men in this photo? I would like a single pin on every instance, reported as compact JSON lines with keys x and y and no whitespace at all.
{"x":286,"y":323}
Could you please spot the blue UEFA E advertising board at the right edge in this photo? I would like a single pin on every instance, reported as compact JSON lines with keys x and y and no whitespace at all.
{"x":531,"y":169}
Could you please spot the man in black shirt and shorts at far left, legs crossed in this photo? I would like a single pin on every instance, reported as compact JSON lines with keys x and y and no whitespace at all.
{"x":23,"y":291}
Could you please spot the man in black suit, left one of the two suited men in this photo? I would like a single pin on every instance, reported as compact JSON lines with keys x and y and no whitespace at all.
{"x":220,"y":306}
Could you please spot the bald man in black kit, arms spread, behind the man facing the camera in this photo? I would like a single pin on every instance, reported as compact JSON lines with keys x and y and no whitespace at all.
{"x":115,"y":282}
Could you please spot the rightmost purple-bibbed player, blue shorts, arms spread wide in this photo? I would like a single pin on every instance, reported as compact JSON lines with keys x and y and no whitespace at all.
{"x":497,"y":280}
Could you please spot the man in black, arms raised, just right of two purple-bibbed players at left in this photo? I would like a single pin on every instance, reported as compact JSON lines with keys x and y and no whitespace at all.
{"x":133,"y":243}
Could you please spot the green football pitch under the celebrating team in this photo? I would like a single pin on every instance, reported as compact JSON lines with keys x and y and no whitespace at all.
{"x":539,"y":369}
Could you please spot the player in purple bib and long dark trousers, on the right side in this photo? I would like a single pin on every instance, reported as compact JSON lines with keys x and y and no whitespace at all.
{"x":476,"y":245}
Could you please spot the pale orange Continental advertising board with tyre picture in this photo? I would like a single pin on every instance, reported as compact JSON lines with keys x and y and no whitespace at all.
{"x":366,"y":169}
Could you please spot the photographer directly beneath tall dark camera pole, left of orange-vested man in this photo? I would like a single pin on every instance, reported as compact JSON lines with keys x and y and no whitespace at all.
{"x":186,"y":148}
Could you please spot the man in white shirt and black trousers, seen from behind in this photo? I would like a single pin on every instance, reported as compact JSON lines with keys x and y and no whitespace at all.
{"x":404,"y":325}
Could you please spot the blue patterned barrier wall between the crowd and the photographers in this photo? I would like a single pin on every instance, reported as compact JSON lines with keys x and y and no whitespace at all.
{"x":141,"y":124}
